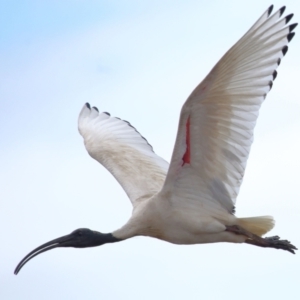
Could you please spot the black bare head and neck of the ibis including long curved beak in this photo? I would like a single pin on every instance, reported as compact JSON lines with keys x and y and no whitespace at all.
{"x":79,"y":238}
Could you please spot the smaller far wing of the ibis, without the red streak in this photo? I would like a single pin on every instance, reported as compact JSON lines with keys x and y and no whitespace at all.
{"x":122,"y":150}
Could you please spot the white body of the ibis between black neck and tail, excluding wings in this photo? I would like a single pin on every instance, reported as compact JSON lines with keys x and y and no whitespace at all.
{"x":157,"y":218}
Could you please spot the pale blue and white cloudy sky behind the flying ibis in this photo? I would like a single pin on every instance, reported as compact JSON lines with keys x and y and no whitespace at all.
{"x":138,"y":60}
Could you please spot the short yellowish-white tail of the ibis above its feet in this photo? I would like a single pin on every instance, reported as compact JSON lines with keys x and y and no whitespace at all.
{"x":257,"y":225}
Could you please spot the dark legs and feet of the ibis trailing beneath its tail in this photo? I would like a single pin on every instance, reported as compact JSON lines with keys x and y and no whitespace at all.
{"x":270,"y":242}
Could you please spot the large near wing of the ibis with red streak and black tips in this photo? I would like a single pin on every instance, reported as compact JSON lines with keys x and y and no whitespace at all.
{"x":216,"y":123}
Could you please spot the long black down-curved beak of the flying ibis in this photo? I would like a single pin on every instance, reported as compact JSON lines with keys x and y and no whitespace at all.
{"x":63,"y":241}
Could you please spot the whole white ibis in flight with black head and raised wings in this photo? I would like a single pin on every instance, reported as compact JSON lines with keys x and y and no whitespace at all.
{"x":192,"y":199}
